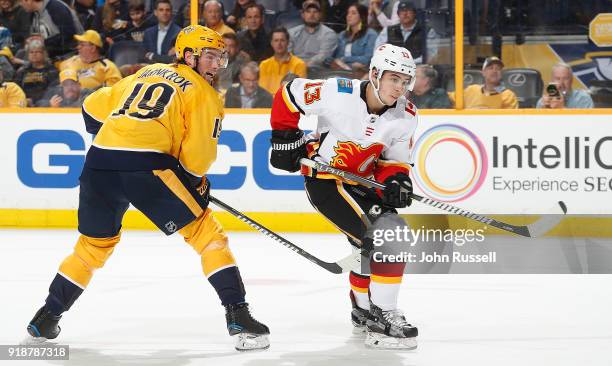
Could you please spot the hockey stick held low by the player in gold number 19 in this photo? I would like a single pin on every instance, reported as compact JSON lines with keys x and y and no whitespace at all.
{"x":343,"y":265}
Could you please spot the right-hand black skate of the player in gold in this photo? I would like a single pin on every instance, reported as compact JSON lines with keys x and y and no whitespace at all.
{"x":251,"y":334}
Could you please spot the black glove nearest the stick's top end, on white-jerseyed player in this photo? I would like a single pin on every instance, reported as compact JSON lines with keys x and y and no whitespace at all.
{"x":288,"y":147}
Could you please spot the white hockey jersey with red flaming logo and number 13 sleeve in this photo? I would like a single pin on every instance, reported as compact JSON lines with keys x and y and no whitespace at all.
{"x":348,"y":136}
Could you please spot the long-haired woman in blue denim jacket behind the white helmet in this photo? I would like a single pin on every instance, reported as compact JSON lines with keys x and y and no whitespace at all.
{"x":356,"y":43}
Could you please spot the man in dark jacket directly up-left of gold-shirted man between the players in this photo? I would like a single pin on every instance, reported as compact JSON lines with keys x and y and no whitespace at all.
{"x":254,"y":40}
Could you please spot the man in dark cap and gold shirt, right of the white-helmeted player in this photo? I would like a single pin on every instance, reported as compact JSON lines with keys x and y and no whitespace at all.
{"x":493,"y":94}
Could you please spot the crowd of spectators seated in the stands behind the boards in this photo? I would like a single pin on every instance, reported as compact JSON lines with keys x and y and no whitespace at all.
{"x":53,"y":53}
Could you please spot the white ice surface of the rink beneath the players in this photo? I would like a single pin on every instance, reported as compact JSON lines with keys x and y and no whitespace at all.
{"x":151,"y":305}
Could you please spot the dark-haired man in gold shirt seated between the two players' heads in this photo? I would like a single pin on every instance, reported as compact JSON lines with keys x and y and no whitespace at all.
{"x":274,"y":69}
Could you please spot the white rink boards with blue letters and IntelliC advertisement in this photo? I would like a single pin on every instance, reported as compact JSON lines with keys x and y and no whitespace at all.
{"x":485,"y":163}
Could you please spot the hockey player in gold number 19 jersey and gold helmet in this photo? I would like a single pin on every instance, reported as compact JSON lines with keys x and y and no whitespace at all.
{"x":158,"y":133}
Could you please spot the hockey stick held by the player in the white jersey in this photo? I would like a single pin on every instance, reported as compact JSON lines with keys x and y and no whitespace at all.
{"x":538,"y":228}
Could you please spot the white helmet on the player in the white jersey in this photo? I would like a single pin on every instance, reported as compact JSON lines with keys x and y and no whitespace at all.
{"x":388,"y":57}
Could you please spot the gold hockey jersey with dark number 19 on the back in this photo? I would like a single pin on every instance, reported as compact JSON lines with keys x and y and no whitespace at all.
{"x":162,"y":111}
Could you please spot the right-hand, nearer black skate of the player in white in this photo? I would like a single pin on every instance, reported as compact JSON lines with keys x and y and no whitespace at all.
{"x":389,"y":330}
